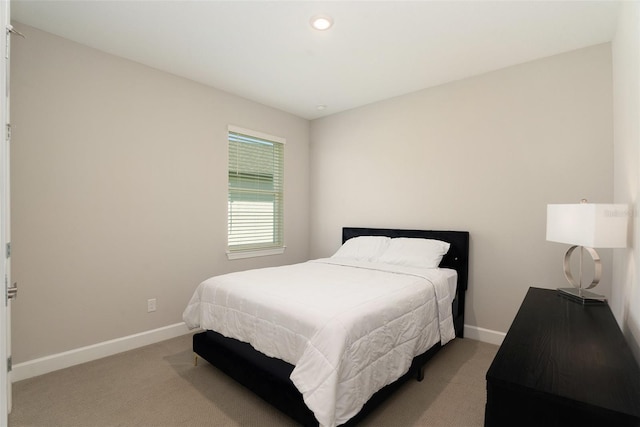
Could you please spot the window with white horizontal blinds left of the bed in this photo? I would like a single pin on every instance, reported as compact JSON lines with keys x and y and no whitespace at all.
{"x":255,"y":204}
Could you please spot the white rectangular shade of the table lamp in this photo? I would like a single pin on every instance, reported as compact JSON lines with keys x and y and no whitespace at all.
{"x":591,"y":225}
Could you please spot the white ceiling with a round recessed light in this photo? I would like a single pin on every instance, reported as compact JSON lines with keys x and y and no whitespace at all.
{"x":266,"y":50}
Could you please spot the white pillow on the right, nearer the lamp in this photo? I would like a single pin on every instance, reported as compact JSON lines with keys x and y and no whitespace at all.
{"x":423,"y":253}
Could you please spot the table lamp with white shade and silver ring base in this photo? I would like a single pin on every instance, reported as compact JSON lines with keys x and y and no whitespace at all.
{"x":586,"y":226}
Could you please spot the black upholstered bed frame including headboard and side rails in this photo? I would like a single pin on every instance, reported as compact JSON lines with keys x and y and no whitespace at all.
{"x":269,"y":378}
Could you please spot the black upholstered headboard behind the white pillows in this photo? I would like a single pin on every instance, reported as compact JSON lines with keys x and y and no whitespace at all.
{"x":457,"y":258}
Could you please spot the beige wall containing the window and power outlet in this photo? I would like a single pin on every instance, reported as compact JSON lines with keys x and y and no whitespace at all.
{"x":119,"y":192}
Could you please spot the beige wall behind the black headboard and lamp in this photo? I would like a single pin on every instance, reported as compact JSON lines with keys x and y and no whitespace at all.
{"x":485,"y":154}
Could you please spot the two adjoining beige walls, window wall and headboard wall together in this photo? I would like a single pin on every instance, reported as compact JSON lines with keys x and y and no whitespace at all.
{"x":119,"y":182}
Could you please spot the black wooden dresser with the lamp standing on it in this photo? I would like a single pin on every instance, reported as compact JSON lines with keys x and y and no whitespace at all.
{"x":563,"y":364}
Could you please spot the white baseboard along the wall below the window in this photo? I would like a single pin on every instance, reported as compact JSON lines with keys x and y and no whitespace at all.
{"x":43,"y":365}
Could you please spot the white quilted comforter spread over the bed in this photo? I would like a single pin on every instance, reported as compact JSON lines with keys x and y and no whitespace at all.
{"x":350,"y":328}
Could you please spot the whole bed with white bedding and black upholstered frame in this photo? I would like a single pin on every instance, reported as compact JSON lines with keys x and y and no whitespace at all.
{"x":299,"y":368}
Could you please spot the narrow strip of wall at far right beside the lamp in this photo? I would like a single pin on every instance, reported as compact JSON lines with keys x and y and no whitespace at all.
{"x":625,"y":300}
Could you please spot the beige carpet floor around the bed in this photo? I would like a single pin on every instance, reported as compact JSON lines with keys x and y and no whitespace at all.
{"x":159,"y":386}
